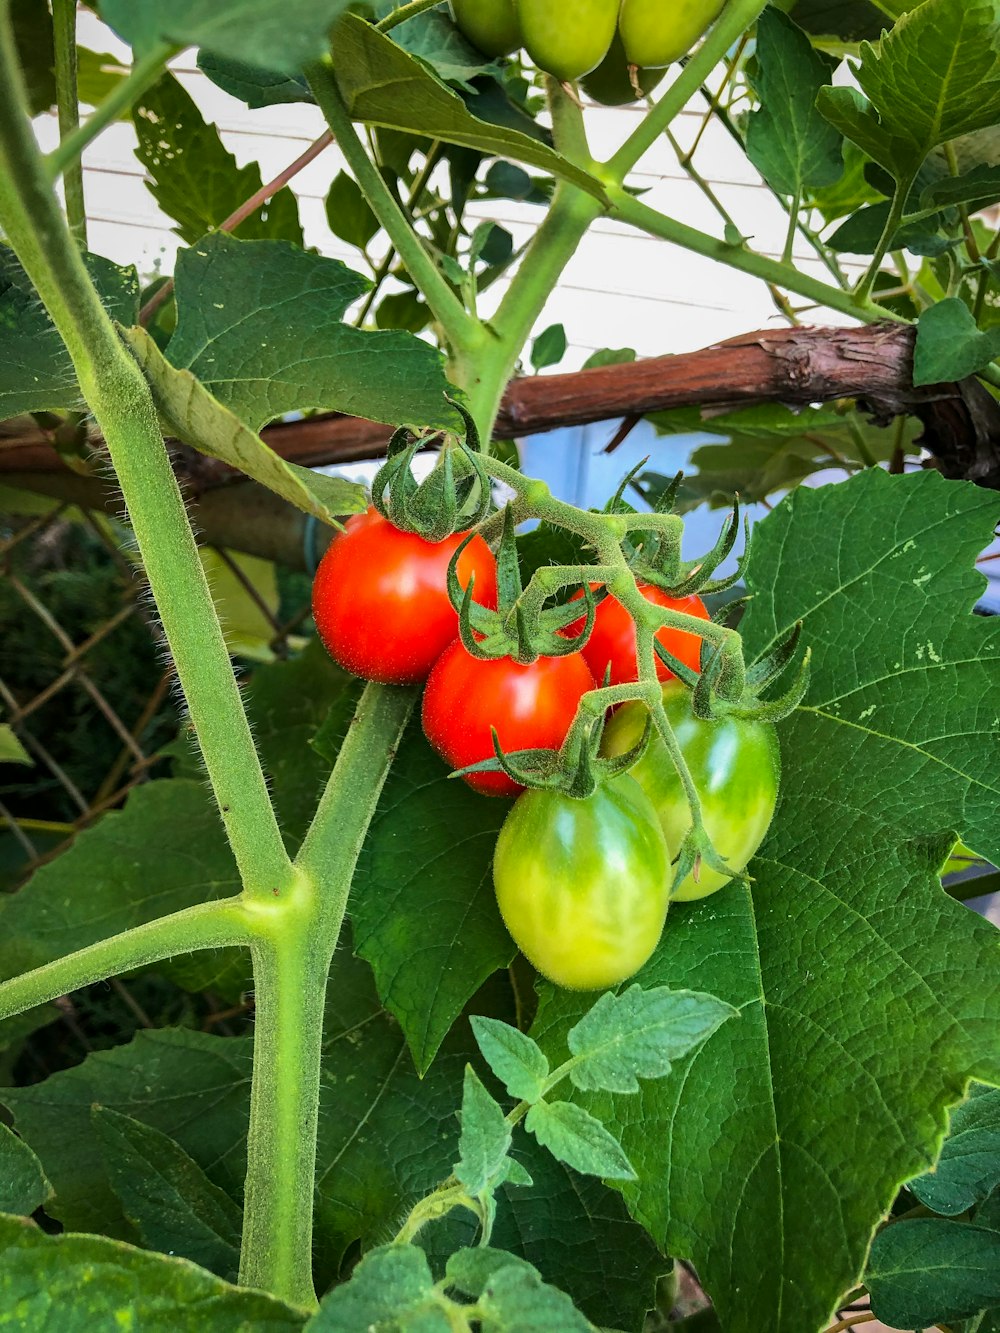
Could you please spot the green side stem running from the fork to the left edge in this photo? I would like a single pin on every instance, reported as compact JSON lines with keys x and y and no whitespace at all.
{"x":211,"y":926}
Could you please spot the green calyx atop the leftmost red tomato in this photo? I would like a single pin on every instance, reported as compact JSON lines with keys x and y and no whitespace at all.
{"x":457,"y":495}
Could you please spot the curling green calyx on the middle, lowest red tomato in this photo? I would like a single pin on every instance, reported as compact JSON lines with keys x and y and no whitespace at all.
{"x":523,"y":627}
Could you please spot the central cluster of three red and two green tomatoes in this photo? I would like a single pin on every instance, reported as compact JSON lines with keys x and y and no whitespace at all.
{"x":583,"y":884}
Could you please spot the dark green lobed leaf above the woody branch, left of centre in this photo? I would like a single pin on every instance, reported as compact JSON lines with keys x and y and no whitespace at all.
{"x":261,"y":325}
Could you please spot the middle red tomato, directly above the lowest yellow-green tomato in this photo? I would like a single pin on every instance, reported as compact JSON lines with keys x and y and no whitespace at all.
{"x":531,"y":708}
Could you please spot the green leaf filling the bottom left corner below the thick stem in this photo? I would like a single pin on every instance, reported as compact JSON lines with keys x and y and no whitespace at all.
{"x":79,"y":1284}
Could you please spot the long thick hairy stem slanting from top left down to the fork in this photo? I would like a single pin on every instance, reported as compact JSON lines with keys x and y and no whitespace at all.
{"x":119,"y":398}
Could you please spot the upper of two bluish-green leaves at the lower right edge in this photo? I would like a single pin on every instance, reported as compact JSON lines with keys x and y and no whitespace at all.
{"x":970,"y":1166}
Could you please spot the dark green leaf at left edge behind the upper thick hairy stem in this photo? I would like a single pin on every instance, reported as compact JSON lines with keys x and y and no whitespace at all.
{"x":37,"y":374}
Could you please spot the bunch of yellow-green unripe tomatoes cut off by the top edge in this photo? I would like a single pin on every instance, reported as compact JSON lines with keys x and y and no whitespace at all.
{"x":622,"y":46}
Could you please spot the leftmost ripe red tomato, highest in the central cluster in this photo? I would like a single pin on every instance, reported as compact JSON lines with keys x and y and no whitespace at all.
{"x":381,"y":598}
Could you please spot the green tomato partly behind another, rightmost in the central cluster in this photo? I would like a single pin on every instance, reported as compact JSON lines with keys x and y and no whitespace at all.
{"x":735,"y":766}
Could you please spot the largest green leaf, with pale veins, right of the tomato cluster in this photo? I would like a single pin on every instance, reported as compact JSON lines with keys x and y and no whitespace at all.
{"x":859,"y":980}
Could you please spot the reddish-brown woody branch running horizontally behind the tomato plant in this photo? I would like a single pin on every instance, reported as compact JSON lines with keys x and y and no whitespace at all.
{"x":873,"y":365}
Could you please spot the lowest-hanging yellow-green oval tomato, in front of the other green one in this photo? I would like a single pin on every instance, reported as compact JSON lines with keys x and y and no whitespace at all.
{"x":583,"y":886}
